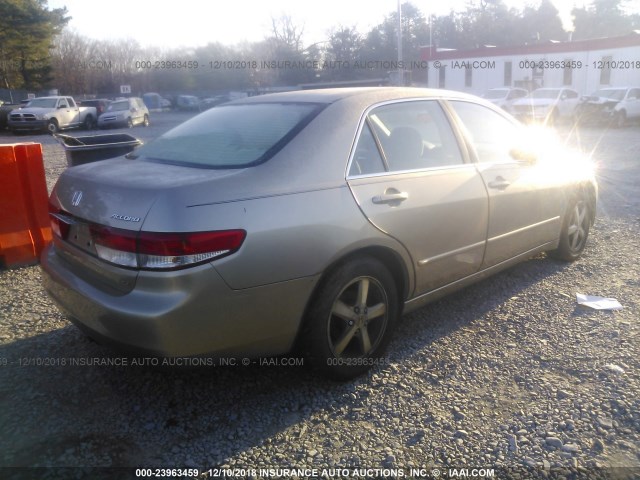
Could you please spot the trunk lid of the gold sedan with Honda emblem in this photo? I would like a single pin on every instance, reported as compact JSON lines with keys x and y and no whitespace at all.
{"x":94,"y":204}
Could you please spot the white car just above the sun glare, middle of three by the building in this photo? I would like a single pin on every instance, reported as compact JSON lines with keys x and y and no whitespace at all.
{"x":547,"y":105}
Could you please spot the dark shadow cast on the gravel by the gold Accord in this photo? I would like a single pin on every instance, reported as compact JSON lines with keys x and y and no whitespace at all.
{"x":68,"y":401}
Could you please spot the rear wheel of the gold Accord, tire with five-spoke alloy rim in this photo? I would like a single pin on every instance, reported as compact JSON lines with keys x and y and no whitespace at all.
{"x":351,"y":318}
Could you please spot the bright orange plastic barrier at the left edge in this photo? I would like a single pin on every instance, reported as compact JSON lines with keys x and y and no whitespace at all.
{"x":24,"y":217}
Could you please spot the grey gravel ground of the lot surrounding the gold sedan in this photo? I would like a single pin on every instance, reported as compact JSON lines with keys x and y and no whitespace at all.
{"x":509,"y":374}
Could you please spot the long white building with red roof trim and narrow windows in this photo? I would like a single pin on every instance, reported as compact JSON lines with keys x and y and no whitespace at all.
{"x":584,"y":65}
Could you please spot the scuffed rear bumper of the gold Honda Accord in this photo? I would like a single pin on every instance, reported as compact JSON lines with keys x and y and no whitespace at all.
{"x":183,"y":313}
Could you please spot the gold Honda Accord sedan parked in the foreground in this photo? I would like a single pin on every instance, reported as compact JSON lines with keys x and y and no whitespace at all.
{"x":310,"y":220}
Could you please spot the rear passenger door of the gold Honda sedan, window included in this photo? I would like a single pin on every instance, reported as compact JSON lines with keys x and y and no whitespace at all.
{"x":411,"y":180}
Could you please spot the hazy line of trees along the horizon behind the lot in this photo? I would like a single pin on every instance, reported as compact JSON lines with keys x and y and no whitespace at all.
{"x":38,"y":51}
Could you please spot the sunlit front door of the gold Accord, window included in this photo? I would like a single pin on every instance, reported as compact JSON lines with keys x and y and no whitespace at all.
{"x":524,"y":202}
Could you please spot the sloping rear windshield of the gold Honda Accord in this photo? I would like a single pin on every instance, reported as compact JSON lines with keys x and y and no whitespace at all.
{"x":231,"y":136}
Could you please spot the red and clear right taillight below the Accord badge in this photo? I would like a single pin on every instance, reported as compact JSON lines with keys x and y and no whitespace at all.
{"x":163,"y":251}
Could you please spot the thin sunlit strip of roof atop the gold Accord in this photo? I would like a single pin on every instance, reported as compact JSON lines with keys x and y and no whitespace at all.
{"x":373,"y":94}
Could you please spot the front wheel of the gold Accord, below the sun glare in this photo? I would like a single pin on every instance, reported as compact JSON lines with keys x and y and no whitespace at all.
{"x":575,"y":229}
